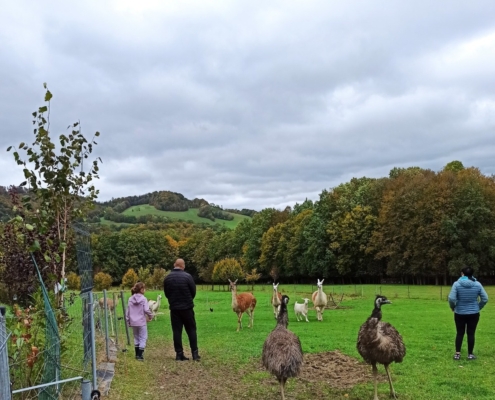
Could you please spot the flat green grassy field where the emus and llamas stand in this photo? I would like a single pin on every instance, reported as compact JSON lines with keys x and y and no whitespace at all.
{"x":231,"y":368}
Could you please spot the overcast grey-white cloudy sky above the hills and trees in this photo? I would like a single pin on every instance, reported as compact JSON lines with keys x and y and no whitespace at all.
{"x":252,"y":104}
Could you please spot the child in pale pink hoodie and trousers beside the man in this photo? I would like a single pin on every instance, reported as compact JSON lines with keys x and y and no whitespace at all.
{"x":137,"y":311}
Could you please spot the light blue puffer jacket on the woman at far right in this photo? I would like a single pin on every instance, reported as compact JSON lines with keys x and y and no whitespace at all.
{"x":463,"y":297}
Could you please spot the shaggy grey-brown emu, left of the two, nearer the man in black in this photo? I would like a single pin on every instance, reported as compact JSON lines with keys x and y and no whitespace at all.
{"x":282,"y":353}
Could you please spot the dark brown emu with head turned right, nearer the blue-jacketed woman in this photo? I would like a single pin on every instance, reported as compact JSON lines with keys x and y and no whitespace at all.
{"x":379,"y":342}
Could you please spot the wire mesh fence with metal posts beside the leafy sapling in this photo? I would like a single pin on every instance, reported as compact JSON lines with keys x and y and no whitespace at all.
{"x":49,"y":351}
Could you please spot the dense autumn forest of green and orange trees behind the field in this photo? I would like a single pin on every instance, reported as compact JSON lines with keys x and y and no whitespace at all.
{"x":414,"y":226}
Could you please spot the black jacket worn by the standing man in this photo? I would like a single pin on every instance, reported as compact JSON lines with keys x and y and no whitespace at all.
{"x":180,"y":289}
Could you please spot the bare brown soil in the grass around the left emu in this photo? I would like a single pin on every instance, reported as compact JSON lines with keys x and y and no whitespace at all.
{"x":211,"y":379}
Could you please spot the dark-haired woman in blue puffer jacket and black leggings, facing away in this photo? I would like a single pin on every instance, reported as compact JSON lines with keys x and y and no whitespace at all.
{"x":463,"y":301}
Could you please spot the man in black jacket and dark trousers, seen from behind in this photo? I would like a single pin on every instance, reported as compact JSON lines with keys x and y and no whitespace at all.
{"x":180,"y":290}
